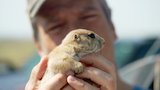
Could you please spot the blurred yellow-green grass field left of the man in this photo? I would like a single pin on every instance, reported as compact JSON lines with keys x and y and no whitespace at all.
{"x":15,"y":53}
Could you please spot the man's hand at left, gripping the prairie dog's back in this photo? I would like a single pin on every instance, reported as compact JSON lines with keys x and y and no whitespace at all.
{"x":55,"y":83}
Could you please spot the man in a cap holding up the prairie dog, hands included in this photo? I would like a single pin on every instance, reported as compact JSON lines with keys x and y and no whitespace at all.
{"x":52,"y":20}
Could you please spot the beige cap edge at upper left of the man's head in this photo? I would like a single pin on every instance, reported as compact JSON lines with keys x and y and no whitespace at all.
{"x":33,"y":7}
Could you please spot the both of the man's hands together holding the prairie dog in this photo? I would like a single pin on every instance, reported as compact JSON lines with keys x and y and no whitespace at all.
{"x":99,"y":70}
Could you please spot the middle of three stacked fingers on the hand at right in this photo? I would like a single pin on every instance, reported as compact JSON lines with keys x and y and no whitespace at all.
{"x":103,"y":79}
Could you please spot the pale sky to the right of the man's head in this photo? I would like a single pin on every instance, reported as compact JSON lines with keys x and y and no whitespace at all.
{"x":136,"y":18}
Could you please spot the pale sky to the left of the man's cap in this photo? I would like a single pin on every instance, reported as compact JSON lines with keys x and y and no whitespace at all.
{"x":14,"y":22}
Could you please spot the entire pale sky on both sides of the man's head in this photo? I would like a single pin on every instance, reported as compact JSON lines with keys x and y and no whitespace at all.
{"x":132,"y":19}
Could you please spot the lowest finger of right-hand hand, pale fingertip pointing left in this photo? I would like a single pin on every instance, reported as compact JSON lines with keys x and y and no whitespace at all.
{"x":79,"y":84}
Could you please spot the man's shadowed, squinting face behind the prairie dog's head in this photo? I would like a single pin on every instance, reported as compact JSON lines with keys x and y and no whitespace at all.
{"x":57,"y":18}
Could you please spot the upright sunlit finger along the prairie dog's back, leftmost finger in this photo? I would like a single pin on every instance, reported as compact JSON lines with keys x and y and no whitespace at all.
{"x":36,"y":74}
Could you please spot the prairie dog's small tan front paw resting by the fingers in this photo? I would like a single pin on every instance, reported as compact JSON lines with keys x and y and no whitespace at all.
{"x":78,"y":67}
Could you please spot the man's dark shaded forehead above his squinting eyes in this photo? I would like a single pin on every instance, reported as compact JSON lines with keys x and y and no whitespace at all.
{"x":81,"y":6}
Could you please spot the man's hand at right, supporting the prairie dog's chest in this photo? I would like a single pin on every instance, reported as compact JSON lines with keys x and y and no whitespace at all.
{"x":100,"y":71}
